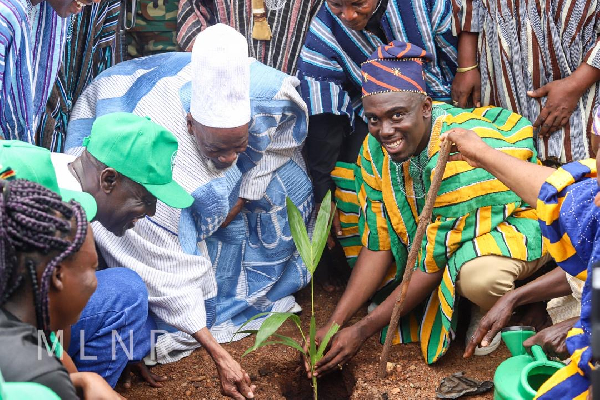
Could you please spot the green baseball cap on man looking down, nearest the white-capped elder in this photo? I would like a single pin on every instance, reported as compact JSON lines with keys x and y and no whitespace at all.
{"x":141,"y":150}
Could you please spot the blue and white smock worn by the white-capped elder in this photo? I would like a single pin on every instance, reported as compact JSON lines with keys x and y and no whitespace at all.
{"x":184,"y":255}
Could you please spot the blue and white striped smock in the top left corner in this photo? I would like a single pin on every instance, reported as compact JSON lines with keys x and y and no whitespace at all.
{"x":30,"y":56}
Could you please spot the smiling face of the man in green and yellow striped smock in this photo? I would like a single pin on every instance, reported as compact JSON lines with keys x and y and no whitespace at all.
{"x":400,"y":121}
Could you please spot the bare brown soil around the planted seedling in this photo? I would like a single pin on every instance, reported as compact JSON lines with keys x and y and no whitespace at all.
{"x":276,"y":371}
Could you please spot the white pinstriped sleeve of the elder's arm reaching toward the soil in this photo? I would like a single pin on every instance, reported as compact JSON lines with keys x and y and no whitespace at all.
{"x":178,"y":283}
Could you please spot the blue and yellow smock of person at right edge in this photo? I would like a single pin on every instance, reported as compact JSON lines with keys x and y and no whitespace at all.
{"x":570,"y":223}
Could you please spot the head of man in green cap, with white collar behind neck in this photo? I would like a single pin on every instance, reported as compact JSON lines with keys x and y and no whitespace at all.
{"x":126,"y":166}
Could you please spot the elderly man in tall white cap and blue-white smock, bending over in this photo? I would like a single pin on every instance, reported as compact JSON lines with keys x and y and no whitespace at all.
{"x":240,"y":126}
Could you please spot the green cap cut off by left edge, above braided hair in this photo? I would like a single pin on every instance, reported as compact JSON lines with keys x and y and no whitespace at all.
{"x":34,"y":164}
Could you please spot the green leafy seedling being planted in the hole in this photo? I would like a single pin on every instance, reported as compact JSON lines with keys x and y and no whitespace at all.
{"x":310,"y":252}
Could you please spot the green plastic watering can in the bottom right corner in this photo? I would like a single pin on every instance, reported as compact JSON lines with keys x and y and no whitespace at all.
{"x":520,"y":376}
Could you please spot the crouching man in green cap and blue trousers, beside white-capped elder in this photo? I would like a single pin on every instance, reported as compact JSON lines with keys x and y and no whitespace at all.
{"x":126,"y":165}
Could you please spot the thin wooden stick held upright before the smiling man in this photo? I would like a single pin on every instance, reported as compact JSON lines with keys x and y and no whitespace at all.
{"x":424,"y":220}
